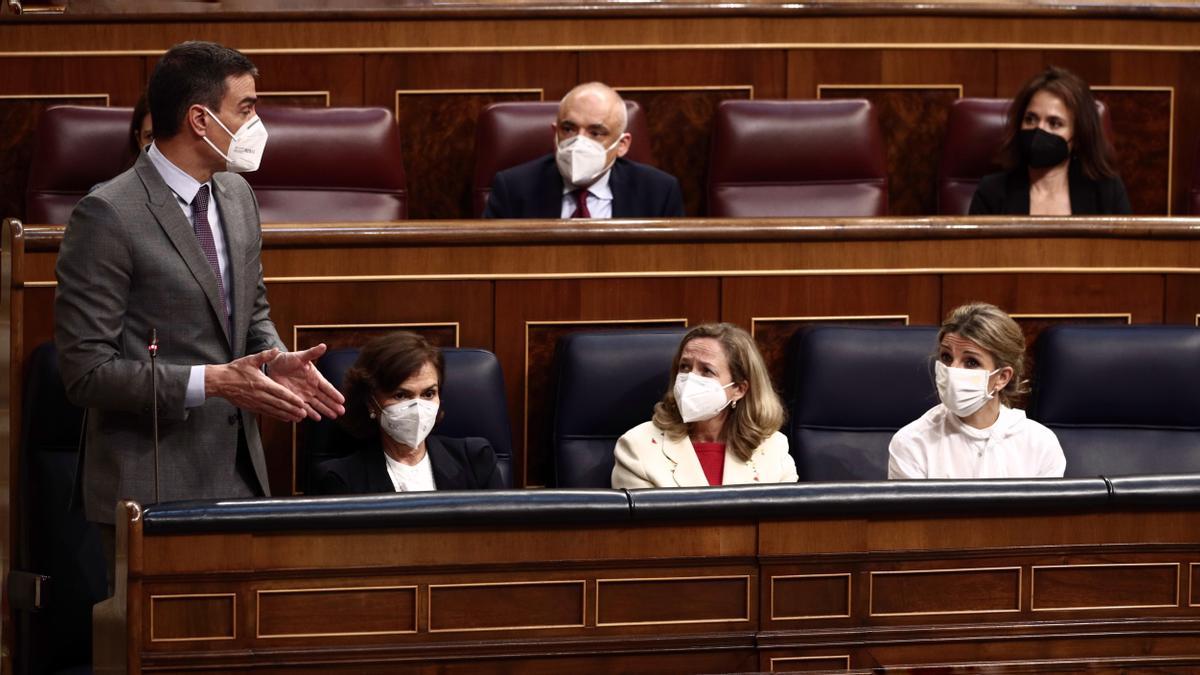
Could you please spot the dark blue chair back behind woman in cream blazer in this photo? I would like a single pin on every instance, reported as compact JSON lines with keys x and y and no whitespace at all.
{"x":608,"y":384}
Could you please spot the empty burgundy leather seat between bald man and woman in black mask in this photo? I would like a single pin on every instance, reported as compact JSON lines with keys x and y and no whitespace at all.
{"x":797,"y":159}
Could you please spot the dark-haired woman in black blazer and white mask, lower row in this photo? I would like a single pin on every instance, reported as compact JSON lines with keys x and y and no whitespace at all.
{"x":393,"y":401}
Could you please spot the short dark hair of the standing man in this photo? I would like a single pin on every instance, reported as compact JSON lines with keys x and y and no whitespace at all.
{"x":189,"y":74}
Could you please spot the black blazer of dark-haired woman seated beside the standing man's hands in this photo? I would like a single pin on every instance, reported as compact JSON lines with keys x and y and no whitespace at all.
{"x":459,"y":464}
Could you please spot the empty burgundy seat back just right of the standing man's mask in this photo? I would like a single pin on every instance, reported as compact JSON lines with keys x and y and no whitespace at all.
{"x":329,"y":165}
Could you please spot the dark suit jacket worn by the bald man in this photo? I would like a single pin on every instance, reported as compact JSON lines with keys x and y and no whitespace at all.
{"x":536,"y":190}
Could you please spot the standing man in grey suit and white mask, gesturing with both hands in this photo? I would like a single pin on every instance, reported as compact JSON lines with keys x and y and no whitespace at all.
{"x":173,"y":246}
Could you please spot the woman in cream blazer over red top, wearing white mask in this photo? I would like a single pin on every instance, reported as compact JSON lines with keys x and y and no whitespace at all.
{"x":717,"y":426}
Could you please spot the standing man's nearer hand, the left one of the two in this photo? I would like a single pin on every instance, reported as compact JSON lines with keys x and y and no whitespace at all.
{"x":243,"y":384}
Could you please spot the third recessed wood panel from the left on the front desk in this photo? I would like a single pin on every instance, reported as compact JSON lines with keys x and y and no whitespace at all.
{"x":507,"y":607}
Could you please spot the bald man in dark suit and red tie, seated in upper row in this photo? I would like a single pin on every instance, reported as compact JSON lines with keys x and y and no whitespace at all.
{"x":587,"y":176}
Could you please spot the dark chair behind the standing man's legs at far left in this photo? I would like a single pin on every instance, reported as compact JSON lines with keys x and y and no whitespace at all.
{"x":55,"y":539}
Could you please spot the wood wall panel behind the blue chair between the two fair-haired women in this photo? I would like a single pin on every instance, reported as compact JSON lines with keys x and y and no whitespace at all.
{"x":775,"y":308}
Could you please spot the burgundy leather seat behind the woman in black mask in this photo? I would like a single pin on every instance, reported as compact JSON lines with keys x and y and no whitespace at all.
{"x":974,"y":136}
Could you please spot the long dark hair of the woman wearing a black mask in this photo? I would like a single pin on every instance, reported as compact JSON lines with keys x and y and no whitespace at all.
{"x":1090,"y":148}
